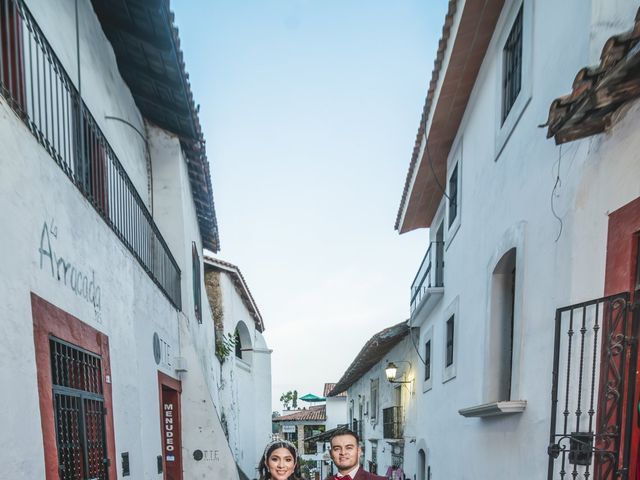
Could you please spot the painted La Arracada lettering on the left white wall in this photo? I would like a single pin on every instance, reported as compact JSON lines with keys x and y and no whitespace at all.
{"x":65,"y":272}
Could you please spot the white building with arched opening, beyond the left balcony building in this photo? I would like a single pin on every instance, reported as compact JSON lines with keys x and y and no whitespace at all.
{"x":246,"y":363}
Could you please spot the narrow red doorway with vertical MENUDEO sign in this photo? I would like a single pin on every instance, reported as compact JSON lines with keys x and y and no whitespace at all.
{"x":165,"y":382}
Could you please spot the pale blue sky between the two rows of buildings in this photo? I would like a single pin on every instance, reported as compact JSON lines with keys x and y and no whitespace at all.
{"x":310,"y":111}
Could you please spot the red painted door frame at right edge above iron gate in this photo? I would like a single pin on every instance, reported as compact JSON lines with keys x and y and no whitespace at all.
{"x":620,"y":273}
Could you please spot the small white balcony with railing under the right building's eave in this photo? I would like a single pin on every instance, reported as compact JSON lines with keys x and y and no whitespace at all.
{"x":427,"y":286}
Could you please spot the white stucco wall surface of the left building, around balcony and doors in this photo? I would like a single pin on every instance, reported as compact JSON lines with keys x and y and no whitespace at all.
{"x":45,"y":216}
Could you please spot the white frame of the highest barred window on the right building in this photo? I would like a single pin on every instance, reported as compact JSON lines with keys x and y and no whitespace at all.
{"x":505,"y":129}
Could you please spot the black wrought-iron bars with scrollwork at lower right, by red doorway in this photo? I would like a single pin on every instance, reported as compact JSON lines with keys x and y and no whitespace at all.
{"x":593,"y":389}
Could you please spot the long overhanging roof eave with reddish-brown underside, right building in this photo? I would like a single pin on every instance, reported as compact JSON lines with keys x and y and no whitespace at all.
{"x":426,"y":176}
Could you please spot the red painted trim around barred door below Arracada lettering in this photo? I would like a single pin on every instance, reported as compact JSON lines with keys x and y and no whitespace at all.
{"x":50,"y":320}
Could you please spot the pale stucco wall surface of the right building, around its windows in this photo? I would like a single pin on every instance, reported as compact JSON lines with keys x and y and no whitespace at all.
{"x":506,"y":201}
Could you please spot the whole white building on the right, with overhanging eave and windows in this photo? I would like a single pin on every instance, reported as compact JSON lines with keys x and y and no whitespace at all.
{"x":519,"y":229}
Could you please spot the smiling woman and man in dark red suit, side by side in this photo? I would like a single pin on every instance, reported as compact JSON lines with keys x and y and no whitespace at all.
{"x":281,"y":462}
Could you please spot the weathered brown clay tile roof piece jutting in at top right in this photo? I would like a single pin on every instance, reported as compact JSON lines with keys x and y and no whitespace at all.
{"x":598,"y":91}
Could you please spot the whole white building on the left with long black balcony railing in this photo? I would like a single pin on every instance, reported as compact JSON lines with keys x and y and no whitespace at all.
{"x":106,"y":200}
